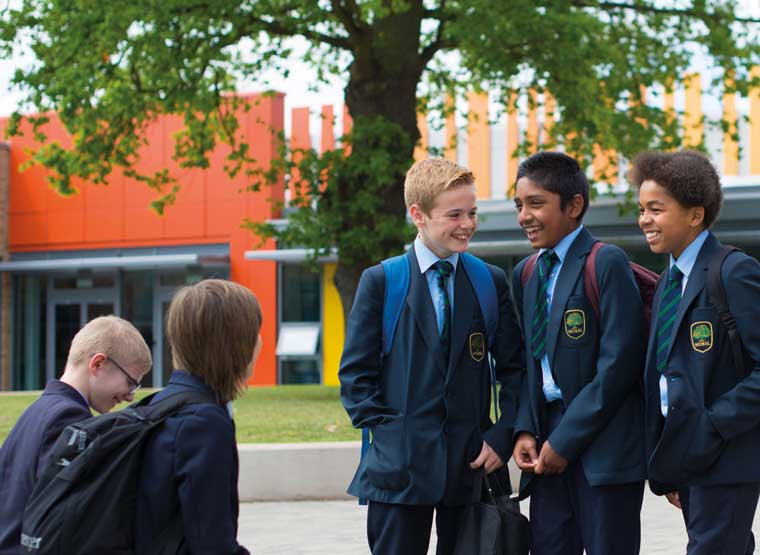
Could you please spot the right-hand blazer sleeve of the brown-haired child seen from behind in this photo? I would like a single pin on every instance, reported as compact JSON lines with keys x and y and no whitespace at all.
{"x":205,"y":470}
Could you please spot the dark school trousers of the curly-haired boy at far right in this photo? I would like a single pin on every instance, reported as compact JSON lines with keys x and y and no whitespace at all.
{"x":719,"y":518}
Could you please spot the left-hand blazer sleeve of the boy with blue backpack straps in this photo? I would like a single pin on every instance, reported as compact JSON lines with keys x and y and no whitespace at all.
{"x":361,"y":363}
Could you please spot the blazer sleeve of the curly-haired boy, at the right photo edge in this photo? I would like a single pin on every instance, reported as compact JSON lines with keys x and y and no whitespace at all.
{"x":736,"y":411}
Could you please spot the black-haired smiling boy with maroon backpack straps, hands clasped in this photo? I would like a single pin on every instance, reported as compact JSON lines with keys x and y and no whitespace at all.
{"x":579,"y":429}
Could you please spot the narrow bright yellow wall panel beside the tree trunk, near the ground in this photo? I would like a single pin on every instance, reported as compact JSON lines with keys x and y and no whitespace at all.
{"x":333,"y":327}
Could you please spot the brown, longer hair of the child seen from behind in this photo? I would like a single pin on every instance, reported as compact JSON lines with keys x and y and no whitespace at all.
{"x":213,"y":328}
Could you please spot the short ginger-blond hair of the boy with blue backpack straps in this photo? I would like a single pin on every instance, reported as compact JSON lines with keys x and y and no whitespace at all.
{"x":428,"y":178}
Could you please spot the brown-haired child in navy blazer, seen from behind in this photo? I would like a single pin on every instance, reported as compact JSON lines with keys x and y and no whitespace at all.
{"x":188,"y":486}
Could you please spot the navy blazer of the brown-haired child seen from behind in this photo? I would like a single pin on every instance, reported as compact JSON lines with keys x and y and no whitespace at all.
{"x":190,"y":466}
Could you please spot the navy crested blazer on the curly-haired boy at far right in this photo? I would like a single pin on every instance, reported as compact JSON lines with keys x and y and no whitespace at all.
{"x":711,"y":435}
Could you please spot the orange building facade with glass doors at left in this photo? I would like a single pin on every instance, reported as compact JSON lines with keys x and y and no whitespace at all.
{"x":104,"y":251}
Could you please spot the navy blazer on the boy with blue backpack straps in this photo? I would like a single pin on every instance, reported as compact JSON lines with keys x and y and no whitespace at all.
{"x":428,"y":416}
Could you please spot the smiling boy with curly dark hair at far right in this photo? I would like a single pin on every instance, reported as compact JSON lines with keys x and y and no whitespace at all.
{"x":702,"y":416}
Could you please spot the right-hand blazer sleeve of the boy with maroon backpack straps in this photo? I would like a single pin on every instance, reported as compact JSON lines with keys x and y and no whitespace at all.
{"x":620,"y":357}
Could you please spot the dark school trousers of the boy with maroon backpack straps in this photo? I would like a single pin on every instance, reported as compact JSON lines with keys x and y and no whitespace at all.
{"x":568,"y":515}
